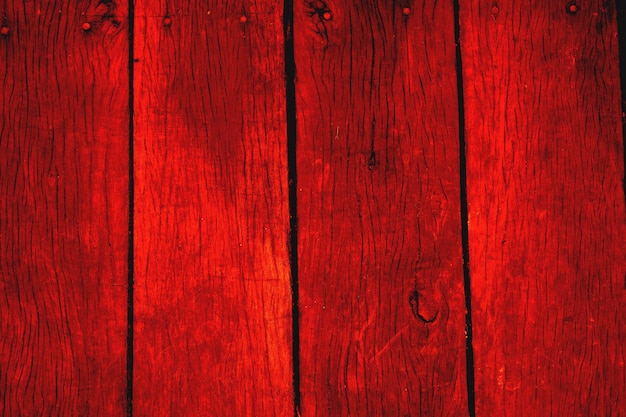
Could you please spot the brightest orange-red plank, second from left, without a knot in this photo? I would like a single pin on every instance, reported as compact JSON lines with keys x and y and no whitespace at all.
{"x":213,"y":299}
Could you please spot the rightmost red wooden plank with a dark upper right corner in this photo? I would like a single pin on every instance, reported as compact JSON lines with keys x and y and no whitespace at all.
{"x":546,"y":207}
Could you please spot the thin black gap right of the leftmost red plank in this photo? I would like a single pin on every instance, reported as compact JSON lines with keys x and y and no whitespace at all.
{"x":131,"y":210}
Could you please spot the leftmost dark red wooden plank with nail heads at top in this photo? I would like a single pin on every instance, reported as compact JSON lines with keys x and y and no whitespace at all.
{"x":63,"y":209}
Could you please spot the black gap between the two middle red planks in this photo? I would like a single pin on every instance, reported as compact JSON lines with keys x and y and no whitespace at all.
{"x":290,"y":89}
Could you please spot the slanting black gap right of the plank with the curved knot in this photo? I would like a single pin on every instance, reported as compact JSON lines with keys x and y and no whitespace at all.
{"x":469,"y":349}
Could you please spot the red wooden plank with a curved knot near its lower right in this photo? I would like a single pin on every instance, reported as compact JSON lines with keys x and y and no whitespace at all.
{"x":380,"y":259}
